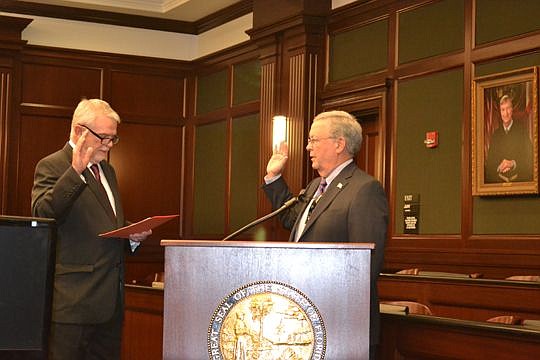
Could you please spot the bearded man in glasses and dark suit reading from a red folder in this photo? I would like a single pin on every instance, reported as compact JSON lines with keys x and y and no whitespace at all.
{"x":78,"y":188}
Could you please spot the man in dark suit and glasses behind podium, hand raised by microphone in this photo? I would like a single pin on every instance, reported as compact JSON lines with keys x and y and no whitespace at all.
{"x":351,"y":207}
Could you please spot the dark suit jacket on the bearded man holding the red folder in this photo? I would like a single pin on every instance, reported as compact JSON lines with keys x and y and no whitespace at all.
{"x":89,"y":269}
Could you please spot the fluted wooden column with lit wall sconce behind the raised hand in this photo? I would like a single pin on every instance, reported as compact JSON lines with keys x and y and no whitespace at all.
{"x":291,"y":44}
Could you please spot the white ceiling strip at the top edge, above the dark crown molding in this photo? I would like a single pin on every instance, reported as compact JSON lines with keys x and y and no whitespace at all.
{"x":182,"y":10}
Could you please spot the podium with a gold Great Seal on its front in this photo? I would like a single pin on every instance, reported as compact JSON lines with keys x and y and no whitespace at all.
{"x":280,"y":285}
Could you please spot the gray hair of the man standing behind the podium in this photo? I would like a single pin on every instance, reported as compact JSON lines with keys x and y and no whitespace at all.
{"x":343,"y":124}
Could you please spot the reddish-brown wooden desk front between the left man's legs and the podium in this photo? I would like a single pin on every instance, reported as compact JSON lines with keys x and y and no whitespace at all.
{"x":142,"y":336}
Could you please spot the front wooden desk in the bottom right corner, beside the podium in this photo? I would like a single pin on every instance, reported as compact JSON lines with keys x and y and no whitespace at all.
{"x":422,"y":337}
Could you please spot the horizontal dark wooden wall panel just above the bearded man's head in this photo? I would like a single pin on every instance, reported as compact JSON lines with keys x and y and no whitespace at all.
{"x":59,"y":85}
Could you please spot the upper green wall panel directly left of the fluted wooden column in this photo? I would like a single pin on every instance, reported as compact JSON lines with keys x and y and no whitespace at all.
{"x":246,"y":82}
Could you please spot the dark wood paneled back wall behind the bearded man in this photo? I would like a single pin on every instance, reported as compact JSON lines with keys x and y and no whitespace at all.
{"x":40,"y":89}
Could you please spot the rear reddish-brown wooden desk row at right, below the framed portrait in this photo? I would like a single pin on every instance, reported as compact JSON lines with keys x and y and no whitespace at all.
{"x":464,"y":298}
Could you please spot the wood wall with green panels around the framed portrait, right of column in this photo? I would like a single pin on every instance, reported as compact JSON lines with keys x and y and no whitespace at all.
{"x":434,"y":50}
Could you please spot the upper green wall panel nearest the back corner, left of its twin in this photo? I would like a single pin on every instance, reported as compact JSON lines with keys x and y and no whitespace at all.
{"x":211,"y":92}
